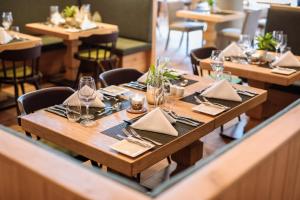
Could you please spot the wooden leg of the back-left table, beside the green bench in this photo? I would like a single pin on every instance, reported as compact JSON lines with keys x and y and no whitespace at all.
{"x":71,"y":64}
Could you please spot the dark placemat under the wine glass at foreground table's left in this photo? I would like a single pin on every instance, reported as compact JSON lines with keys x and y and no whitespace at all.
{"x":92,"y":110}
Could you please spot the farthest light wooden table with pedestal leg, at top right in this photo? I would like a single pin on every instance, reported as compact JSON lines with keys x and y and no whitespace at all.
{"x":212,"y":20}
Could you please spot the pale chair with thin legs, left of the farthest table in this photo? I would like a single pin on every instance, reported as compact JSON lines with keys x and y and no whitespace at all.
{"x":176,"y":24}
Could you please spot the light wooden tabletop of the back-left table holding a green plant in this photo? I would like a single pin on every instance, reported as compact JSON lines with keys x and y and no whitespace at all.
{"x":61,"y":32}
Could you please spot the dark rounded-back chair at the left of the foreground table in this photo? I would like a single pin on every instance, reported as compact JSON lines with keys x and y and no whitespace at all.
{"x":43,"y":98}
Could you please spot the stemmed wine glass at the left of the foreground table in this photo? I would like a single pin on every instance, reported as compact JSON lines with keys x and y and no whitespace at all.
{"x":87,"y":94}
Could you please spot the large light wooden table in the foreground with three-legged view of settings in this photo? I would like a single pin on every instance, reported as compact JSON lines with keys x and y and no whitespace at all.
{"x":90,"y":142}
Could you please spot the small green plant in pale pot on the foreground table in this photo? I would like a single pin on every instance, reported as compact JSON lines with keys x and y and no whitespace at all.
{"x":158,"y":77}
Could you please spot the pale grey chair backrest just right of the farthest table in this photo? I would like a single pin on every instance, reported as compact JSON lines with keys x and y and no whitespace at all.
{"x":251,"y":22}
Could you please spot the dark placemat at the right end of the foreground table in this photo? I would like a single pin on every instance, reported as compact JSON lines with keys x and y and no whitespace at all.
{"x":231,"y":104}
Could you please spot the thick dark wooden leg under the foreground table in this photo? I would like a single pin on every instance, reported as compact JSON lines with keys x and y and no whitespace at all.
{"x":187,"y":156}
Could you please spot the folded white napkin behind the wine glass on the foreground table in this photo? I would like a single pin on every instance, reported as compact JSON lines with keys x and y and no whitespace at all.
{"x":74,"y":100}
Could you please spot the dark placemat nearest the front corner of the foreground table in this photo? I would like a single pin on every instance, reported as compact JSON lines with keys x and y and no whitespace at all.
{"x":162,"y":138}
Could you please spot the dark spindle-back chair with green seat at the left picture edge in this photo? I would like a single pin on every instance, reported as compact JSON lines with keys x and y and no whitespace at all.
{"x":20,"y":67}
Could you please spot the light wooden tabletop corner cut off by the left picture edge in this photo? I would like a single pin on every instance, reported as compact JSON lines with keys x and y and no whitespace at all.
{"x":30,"y":41}
